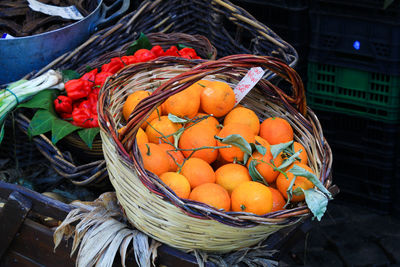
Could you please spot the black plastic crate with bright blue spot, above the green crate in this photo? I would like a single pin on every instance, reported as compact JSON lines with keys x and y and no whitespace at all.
{"x":359,"y":42}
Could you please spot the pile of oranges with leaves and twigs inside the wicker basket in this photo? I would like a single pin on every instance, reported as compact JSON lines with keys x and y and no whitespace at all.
{"x":192,"y":158}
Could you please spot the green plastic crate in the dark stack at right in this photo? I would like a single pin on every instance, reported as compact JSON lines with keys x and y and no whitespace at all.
{"x":351,"y":91}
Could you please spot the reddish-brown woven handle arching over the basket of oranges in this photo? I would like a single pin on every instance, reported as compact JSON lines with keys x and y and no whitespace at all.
{"x":233,"y":64}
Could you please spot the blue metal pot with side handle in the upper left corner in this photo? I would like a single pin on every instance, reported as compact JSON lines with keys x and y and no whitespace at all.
{"x":21,"y":55}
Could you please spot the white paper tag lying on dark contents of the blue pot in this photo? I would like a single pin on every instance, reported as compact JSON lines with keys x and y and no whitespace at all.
{"x":68,"y":12}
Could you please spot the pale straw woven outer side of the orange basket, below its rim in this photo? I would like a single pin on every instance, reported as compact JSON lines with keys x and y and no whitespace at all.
{"x":160,"y":223}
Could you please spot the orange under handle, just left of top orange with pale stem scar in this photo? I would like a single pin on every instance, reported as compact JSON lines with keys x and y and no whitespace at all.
{"x":183,"y":104}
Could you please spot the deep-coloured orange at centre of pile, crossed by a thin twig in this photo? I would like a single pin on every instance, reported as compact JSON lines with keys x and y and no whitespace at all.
{"x":196,"y":137}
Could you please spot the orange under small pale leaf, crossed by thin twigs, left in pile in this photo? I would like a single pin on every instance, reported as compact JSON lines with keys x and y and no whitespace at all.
{"x":161,"y":127}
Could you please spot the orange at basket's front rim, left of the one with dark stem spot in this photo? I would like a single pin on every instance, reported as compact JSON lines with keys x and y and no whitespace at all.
{"x":213,"y":195}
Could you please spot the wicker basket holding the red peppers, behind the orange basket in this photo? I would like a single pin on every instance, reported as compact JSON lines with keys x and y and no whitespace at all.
{"x":72,"y":158}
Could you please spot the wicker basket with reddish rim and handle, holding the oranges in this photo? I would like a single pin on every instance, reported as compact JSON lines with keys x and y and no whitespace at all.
{"x":153,"y":208}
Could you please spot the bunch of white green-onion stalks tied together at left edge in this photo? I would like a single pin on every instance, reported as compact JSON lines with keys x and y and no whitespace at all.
{"x":22,"y":90}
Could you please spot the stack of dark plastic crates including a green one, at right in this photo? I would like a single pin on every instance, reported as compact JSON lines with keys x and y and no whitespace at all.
{"x":354,"y":87}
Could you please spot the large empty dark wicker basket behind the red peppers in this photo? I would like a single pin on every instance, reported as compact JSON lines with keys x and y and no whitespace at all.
{"x":231,"y":29}
